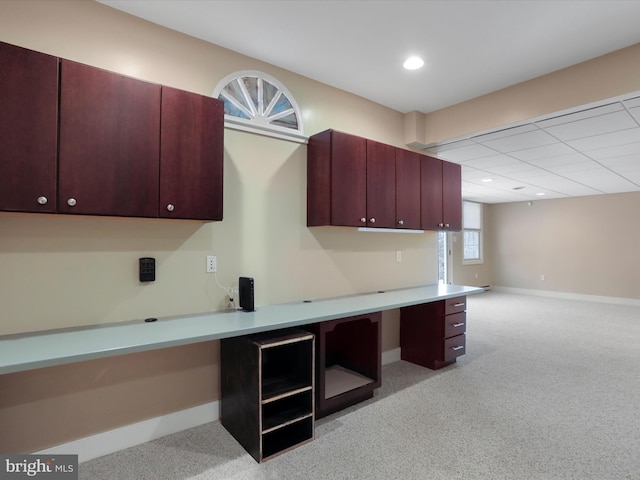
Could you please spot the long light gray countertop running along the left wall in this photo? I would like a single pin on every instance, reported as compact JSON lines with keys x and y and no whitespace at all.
{"x":56,"y":347}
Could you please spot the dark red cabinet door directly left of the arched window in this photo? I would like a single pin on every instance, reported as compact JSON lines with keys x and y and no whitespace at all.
{"x":191,"y":156}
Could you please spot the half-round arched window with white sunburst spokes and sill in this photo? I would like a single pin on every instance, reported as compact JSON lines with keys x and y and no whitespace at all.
{"x":258,"y":103}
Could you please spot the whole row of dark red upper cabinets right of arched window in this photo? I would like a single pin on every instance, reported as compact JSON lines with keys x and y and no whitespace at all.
{"x":352,"y":181}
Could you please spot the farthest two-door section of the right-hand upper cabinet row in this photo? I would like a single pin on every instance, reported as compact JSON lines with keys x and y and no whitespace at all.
{"x":441,"y":189}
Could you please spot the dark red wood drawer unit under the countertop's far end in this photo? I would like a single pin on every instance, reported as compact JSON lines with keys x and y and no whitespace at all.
{"x":433,"y":334}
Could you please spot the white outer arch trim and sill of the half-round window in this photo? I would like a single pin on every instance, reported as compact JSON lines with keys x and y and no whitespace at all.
{"x":258,"y":124}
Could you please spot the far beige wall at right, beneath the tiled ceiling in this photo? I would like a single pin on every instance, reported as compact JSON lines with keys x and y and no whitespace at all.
{"x":584,"y":245}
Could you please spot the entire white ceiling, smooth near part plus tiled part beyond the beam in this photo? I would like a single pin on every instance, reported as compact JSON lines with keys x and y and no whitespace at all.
{"x":470,"y":48}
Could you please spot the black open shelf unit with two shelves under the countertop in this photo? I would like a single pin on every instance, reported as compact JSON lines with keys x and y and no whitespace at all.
{"x":267,"y":390}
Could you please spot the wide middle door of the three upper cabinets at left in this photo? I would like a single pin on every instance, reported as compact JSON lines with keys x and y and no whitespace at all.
{"x":109,"y":143}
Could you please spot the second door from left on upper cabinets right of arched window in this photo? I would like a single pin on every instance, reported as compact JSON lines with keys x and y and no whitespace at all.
{"x":381,"y":185}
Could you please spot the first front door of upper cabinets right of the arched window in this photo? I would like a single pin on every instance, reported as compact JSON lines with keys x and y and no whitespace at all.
{"x":348,"y":180}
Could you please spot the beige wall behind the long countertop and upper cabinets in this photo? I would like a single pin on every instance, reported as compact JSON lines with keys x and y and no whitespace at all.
{"x":59,"y":271}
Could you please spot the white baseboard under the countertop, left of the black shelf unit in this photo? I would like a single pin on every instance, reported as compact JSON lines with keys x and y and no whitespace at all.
{"x":130,"y":435}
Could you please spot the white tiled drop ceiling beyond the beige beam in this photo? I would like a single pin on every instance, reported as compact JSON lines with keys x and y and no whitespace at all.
{"x":591,"y":151}
